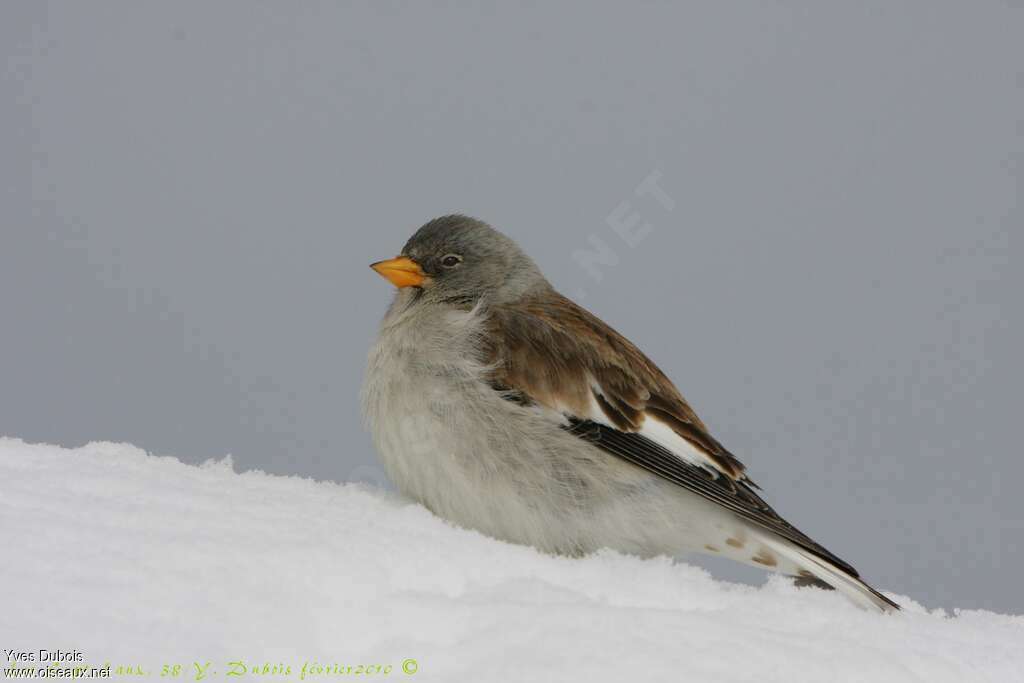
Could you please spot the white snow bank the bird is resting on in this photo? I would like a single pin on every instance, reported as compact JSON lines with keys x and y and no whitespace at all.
{"x":142,"y":561}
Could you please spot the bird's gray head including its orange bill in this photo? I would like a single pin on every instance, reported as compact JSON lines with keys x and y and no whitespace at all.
{"x":458,"y":260}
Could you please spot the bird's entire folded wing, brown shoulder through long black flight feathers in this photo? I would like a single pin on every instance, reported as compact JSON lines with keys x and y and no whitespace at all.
{"x":556,"y":354}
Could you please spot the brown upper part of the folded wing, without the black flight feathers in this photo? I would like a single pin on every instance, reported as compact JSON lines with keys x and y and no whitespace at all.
{"x":566,"y":359}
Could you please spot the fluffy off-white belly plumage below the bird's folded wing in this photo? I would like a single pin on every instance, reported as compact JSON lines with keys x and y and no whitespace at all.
{"x":488,"y":464}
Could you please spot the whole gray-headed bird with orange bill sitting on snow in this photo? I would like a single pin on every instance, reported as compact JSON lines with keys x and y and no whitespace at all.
{"x":504,"y":407}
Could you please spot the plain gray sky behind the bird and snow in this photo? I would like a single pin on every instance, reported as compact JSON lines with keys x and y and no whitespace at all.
{"x":192,"y":193}
